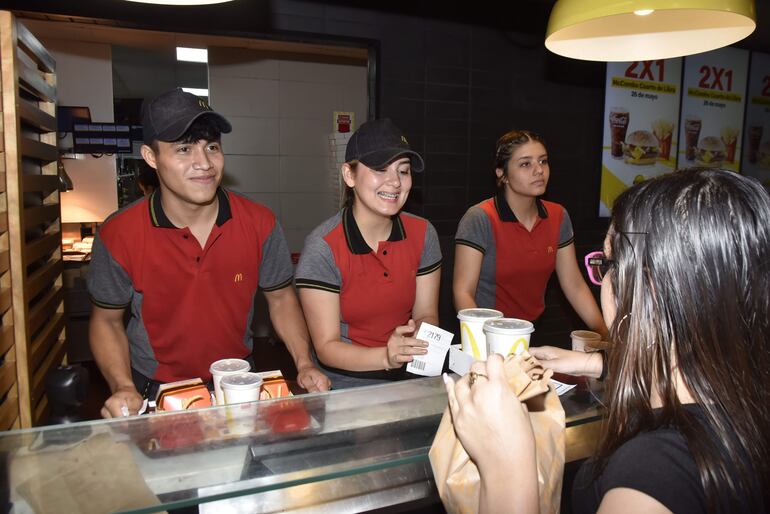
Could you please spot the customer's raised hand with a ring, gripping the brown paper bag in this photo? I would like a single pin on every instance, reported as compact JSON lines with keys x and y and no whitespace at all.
{"x":490,"y":421}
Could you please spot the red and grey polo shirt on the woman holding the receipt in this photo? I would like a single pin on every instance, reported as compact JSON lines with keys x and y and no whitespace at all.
{"x":377,"y":288}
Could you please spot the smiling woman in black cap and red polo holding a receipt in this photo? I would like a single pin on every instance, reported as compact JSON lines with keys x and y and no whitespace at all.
{"x":370,"y":274}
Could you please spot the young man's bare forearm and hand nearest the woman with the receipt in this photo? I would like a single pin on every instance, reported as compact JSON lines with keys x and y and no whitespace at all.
{"x":289,"y":323}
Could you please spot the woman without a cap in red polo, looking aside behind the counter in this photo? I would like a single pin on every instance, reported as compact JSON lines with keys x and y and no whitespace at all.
{"x":507,"y":246}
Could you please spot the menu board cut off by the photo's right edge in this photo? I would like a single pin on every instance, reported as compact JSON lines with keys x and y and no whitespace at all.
{"x":756,"y":131}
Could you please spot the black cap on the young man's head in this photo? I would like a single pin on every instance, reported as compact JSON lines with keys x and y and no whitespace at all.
{"x":168,"y":116}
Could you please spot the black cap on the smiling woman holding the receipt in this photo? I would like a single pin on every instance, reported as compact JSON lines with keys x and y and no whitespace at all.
{"x":377,"y":143}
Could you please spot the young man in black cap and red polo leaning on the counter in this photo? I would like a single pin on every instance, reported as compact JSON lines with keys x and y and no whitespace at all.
{"x":187,"y":261}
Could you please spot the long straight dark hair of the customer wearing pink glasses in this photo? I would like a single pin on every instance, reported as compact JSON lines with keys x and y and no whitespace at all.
{"x":692,"y":287}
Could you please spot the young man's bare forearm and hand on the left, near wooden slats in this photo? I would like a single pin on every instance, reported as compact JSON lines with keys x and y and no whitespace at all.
{"x":109,"y":345}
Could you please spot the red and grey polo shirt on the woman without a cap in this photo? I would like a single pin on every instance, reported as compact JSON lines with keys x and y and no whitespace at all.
{"x":517,"y":263}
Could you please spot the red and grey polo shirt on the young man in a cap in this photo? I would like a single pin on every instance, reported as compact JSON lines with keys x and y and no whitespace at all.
{"x":190,"y":306}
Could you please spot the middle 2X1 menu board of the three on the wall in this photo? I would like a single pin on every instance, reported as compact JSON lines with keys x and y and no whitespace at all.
{"x":713,"y":96}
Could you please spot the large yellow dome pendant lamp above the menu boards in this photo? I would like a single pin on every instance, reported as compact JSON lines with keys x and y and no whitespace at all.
{"x":635,"y":30}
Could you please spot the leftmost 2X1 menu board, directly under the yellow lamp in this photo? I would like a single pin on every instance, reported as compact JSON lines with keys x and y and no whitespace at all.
{"x":640,"y":115}
